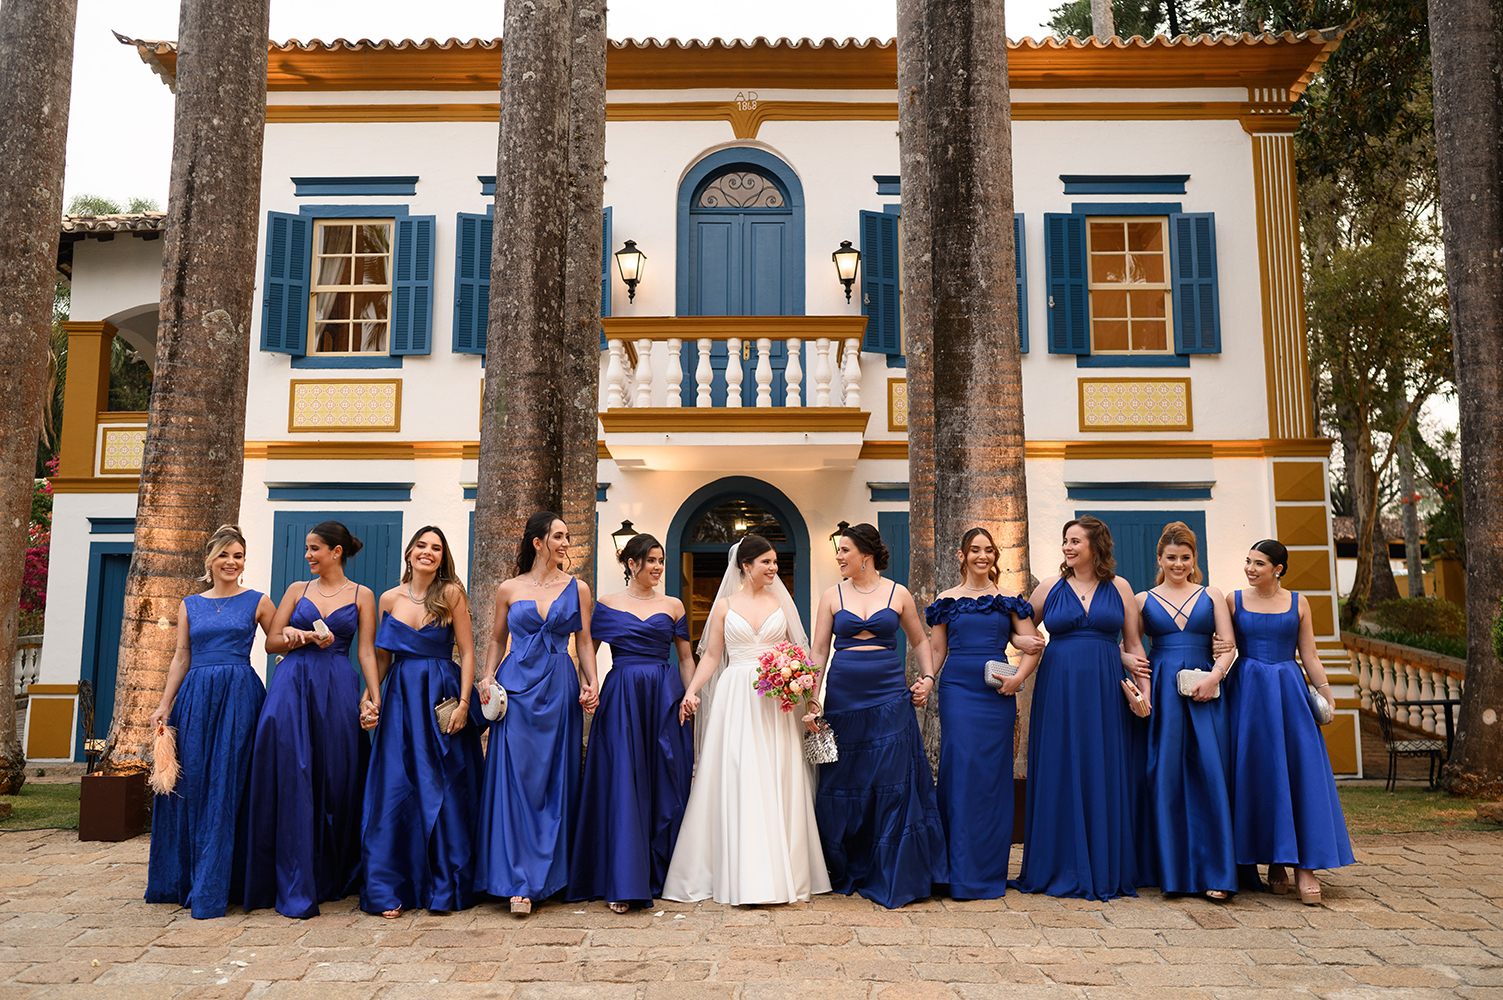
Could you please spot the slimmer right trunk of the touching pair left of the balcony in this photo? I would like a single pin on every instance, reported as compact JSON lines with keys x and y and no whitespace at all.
{"x":587,"y":175}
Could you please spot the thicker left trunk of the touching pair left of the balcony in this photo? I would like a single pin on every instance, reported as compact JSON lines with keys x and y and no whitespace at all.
{"x":521,"y":462}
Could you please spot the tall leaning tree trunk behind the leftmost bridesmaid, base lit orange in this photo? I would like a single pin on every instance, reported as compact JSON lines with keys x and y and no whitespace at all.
{"x":195,"y":455}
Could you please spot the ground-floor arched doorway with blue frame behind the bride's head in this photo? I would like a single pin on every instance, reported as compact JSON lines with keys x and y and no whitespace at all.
{"x":710,"y":523}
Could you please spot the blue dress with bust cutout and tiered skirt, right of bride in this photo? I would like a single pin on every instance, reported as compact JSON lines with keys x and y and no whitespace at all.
{"x":877,"y":811}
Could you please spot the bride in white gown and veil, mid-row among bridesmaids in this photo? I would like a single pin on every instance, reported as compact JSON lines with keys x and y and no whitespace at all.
{"x":749,"y":828}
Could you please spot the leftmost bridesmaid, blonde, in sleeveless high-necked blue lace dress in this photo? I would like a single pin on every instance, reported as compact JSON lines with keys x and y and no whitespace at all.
{"x":213,"y":698}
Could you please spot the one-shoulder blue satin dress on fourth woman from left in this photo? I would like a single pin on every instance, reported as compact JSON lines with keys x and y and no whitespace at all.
{"x":530,"y":798}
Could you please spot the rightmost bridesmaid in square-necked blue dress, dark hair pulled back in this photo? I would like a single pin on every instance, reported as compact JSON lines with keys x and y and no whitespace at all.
{"x":1287,"y":811}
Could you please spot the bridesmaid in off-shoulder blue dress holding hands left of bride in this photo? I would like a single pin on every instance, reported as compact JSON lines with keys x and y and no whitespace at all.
{"x":641,"y":760}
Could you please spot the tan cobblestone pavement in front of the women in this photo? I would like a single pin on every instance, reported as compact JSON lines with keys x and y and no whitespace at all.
{"x":1414,"y":920}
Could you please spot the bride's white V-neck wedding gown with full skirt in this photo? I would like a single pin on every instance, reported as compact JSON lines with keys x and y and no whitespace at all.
{"x":749,"y":829}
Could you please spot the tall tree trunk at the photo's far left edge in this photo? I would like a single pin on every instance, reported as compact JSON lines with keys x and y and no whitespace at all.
{"x":37,"y":58}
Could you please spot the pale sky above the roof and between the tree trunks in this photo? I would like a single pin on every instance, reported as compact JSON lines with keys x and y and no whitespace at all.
{"x":121,"y":124}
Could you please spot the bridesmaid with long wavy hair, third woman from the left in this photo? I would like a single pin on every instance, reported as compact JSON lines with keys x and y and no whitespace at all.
{"x":419,"y":846}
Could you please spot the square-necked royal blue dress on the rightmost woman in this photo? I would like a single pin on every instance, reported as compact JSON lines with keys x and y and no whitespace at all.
{"x":1286,"y":810}
